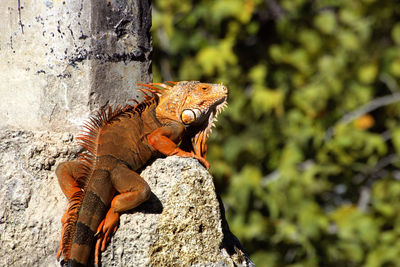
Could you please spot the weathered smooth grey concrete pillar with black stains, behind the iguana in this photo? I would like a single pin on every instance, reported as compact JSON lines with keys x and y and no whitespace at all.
{"x":60,"y":60}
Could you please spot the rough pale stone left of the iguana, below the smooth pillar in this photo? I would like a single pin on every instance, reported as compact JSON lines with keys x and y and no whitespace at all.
{"x":31,"y":202}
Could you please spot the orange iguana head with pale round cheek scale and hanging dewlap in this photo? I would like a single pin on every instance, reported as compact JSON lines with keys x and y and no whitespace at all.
{"x":194,"y":104}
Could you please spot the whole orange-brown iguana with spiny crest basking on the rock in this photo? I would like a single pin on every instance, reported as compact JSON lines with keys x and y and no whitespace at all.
{"x":175,"y":118}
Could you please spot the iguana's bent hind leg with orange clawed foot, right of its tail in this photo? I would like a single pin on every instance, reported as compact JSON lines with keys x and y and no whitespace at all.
{"x":133,"y":190}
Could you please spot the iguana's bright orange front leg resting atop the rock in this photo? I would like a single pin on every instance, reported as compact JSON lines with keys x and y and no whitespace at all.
{"x":166,"y":139}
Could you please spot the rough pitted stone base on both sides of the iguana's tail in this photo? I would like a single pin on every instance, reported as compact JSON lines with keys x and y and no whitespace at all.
{"x":181,"y":225}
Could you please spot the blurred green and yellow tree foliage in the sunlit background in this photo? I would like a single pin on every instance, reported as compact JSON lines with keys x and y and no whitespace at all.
{"x":306,"y":156}
